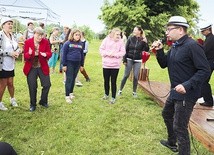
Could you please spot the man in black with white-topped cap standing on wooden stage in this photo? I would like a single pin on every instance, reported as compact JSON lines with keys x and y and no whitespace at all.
{"x":206,"y":30}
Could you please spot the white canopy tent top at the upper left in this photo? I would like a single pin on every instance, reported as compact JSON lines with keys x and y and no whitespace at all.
{"x":28,"y":9}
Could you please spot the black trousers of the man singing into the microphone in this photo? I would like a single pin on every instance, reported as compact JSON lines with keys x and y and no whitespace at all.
{"x":176,"y":115}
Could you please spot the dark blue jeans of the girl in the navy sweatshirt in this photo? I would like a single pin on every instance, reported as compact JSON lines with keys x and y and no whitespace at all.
{"x":71,"y":74}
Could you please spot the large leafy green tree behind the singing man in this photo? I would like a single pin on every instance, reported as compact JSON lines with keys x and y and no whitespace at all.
{"x":152,"y":15}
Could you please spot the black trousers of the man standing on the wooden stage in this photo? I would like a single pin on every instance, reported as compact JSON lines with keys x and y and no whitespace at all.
{"x":206,"y":88}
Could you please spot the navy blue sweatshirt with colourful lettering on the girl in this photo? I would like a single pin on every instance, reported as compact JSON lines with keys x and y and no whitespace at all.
{"x":72,"y":51}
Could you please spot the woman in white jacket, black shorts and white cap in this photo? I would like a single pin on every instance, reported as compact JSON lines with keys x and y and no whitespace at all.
{"x":8,"y":53}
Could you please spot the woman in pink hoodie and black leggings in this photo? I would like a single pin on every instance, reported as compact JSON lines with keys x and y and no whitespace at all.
{"x":112,"y":51}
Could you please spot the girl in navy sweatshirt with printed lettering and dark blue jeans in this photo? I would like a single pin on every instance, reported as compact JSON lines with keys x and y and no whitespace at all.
{"x":72,"y":59}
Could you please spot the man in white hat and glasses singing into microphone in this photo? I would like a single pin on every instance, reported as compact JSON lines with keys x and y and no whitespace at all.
{"x":188,"y":68}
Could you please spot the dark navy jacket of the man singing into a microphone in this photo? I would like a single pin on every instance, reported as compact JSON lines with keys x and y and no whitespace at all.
{"x":187,"y":65}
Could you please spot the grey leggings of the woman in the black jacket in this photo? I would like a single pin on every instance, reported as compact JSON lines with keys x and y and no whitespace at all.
{"x":136,"y":70}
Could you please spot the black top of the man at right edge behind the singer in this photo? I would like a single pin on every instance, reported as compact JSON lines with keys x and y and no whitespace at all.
{"x":209,"y":46}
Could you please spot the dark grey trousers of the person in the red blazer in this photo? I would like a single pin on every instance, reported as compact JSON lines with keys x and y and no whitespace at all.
{"x":32,"y":85}
